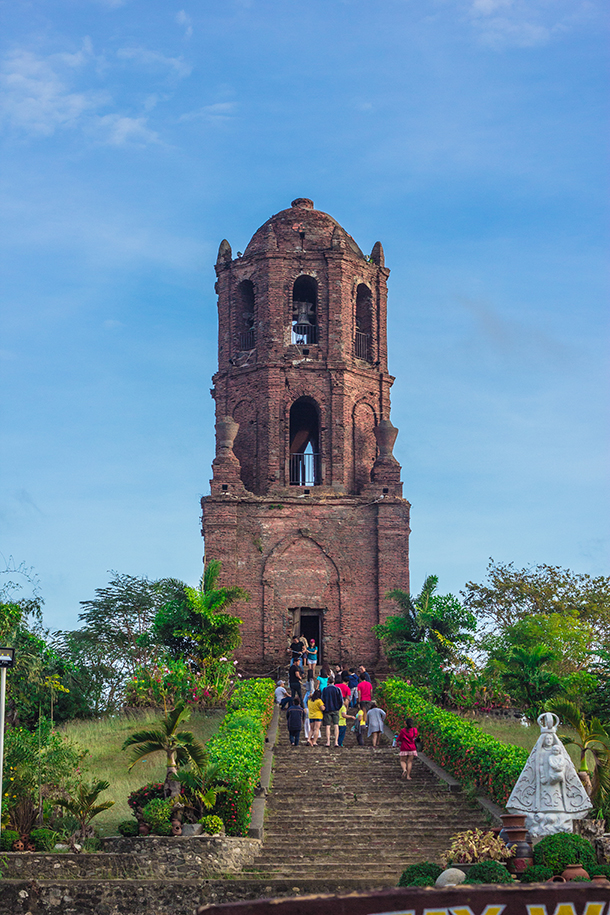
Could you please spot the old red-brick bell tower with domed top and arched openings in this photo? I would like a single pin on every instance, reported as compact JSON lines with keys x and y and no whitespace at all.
{"x":306,"y":509}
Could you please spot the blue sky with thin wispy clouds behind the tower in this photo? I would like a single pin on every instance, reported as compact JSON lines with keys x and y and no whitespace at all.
{"x":469,"y":136}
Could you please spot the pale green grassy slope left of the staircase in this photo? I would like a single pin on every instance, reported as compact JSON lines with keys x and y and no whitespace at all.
{"x":104,"y":738}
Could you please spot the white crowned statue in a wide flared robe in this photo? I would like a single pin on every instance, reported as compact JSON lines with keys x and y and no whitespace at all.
{"x":549,"y":790}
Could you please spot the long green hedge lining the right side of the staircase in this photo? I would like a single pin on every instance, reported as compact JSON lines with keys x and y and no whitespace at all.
{"x":457,"y":745}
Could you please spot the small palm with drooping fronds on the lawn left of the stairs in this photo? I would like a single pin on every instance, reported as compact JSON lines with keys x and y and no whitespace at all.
{"x":180,"y":747}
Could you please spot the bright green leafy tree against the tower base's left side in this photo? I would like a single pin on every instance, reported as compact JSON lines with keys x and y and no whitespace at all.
{"x":196,"y":625}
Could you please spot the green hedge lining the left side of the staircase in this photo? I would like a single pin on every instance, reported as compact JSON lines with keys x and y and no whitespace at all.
{"x":237,"y":748}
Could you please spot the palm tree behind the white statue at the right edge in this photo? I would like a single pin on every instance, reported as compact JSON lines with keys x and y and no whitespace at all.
{"x":593,"y":742}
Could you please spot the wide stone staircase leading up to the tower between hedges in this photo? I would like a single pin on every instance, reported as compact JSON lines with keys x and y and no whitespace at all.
{"x":346,"y":816}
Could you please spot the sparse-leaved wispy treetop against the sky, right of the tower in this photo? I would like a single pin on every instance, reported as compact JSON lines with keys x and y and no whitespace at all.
{"x":511,"y":594}
